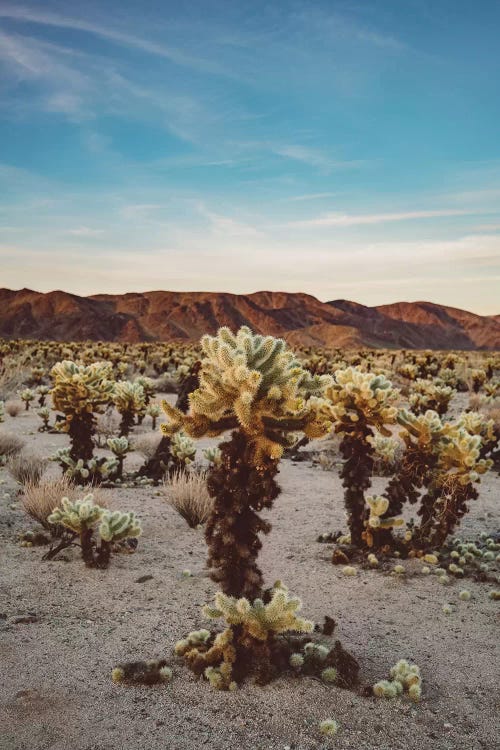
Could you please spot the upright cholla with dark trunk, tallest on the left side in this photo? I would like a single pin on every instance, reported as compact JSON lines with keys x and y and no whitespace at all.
{"x":80,"y":392}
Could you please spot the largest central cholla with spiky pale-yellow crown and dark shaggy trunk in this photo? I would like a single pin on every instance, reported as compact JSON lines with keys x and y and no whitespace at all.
{"x":255,"y":386}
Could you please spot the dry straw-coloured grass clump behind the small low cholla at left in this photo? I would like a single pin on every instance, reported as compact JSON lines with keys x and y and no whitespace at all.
{"x":40,"y":499}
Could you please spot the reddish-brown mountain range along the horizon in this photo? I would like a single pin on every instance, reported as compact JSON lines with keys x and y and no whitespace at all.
{"x":300,"y":318}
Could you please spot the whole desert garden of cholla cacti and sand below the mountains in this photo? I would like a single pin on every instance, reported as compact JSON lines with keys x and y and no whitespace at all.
{"x":243,"y":542}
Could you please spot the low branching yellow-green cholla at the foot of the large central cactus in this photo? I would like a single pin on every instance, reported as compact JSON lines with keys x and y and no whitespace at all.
{"x":248,"y":644}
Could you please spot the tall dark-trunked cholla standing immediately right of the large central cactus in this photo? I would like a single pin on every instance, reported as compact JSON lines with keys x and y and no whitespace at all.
{"x":359,"y":404}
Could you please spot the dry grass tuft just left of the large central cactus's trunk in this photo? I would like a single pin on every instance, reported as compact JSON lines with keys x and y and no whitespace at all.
{"x":187,"y":492}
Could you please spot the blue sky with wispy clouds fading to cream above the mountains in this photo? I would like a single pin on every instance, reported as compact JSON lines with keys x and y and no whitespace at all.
{"x":342,"y":148}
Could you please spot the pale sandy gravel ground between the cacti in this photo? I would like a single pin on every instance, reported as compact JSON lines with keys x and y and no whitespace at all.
{"x":56,"y":690}
